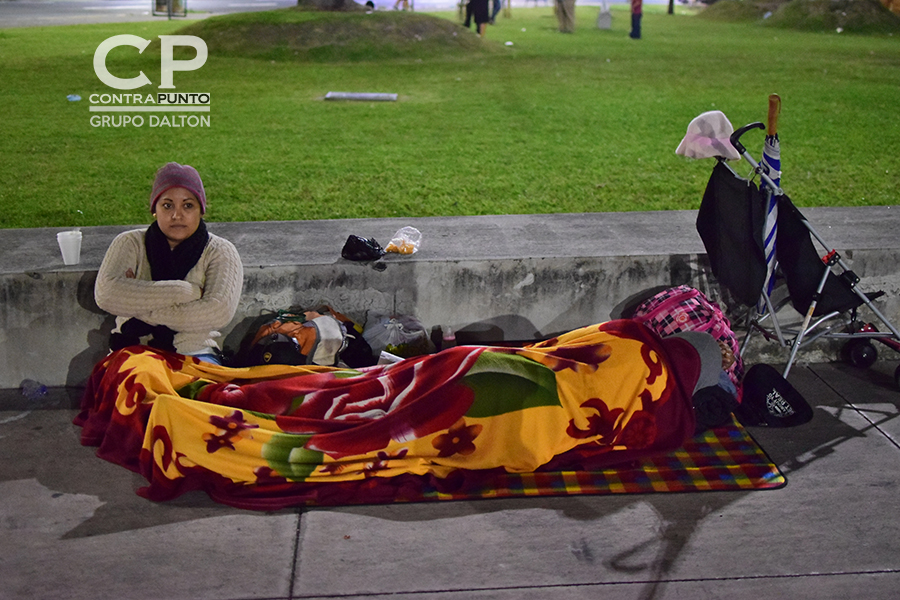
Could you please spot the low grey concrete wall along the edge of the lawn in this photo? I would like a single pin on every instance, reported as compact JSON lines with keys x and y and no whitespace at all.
{"x":506,"y":277}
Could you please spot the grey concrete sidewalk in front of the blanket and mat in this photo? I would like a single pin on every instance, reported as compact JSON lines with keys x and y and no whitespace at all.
{"x":72,"y":527}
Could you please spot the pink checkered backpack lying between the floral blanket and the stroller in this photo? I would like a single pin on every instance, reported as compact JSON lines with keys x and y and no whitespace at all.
{"x":684,"y":308}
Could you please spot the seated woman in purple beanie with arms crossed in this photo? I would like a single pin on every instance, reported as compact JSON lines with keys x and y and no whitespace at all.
{"x":173,"y":284}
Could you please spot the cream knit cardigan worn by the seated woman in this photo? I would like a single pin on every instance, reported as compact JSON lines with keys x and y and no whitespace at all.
{"x":195,"y":308}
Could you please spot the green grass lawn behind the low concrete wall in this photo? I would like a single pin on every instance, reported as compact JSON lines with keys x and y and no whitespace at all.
{"x":551,"y":123}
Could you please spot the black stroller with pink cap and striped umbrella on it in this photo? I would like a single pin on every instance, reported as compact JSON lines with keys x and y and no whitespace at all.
{"x":763,"y":251}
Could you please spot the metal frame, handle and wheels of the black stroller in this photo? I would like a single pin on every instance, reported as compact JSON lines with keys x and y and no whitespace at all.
{"x":859,"y":349}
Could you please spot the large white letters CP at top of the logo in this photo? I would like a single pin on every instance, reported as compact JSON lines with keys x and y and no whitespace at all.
{"x":168,"y":65}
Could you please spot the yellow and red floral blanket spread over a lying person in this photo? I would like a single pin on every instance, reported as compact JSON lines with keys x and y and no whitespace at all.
{"x":275,"y":436}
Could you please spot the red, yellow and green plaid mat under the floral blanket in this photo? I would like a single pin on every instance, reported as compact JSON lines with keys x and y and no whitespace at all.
{"x":727,"y":458}
